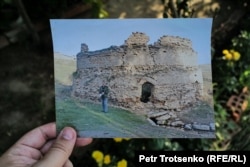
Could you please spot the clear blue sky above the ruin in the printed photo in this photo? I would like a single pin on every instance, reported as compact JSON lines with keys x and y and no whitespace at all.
{"x":68,"y":34}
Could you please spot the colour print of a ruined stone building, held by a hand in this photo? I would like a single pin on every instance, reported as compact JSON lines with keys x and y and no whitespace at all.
{"x":134,"y":78}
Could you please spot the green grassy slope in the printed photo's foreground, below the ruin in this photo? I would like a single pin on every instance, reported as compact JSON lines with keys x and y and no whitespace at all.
{"x":89,"y":121}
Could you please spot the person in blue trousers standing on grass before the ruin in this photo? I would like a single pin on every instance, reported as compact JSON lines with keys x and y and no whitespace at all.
{"x":104,"y":90}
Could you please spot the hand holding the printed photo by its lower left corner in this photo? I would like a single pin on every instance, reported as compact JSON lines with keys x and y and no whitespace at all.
{"x":40,"y":147}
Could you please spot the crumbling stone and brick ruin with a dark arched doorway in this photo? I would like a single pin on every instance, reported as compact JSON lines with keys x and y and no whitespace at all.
{"x":141,"y":77}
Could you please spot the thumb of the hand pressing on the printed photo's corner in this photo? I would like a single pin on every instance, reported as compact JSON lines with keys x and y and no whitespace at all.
{"x":60,"y":150}
